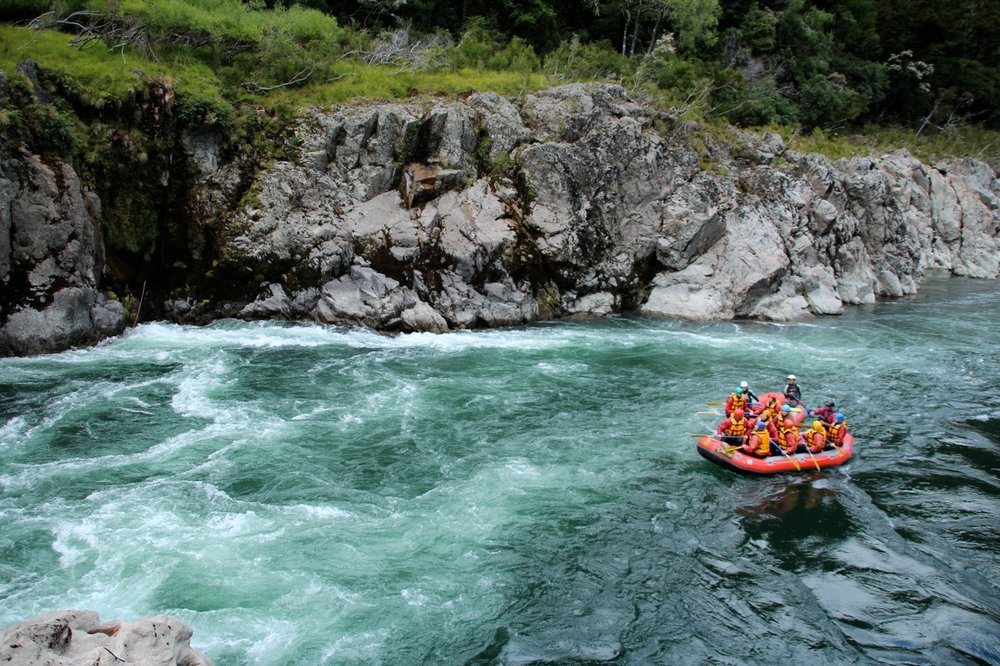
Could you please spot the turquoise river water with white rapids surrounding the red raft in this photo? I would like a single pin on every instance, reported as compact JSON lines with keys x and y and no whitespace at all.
{"x":302,"y":494}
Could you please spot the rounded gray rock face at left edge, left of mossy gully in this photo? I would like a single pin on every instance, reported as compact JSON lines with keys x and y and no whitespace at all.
{"x":51,"y":259}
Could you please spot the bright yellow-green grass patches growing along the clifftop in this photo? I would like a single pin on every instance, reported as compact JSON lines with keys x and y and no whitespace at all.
{"x":209,"y":88}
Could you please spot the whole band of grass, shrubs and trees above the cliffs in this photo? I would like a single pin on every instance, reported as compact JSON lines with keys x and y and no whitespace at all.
{"x":828,"y":64}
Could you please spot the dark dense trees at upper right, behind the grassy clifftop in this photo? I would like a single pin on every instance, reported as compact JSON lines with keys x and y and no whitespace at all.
{"x":816,"y":62}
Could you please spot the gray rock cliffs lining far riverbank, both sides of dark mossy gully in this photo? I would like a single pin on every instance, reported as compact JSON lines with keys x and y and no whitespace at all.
{"x":449,"y":214}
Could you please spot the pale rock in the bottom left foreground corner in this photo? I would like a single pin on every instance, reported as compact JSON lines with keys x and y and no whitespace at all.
{"x":78,"y":638}
